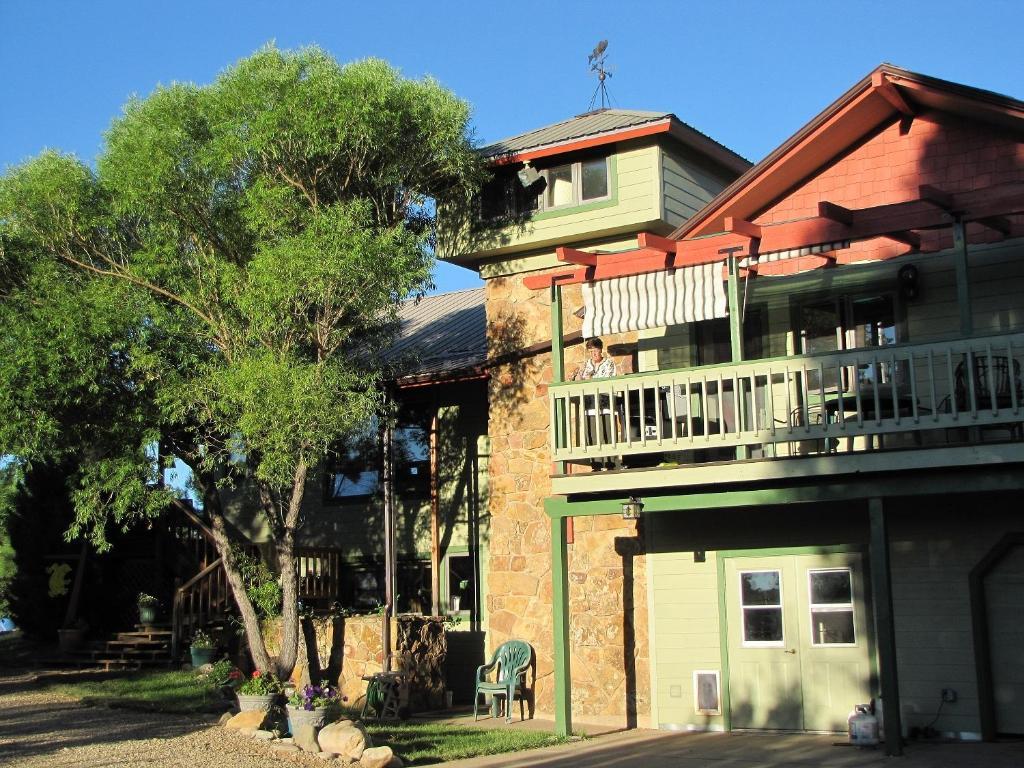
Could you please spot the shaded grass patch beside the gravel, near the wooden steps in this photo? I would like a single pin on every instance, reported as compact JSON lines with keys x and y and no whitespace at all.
{"x":160,"y":692}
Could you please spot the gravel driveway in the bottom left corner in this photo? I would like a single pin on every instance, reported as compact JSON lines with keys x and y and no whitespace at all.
{"x":44,"y":730}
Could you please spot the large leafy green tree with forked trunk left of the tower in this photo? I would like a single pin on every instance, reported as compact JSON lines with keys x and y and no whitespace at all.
{"x":222,"y":282}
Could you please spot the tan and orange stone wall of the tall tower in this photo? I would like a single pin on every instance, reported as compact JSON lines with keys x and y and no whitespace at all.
{"x":609,"y":601}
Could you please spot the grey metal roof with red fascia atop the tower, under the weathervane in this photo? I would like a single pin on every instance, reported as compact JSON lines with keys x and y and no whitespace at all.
{"x":604,"y":127}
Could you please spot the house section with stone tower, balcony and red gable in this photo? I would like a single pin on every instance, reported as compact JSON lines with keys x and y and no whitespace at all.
{"x":822,"y":421}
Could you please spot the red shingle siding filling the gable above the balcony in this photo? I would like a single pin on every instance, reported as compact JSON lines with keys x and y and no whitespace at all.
{"x":951,"y":154}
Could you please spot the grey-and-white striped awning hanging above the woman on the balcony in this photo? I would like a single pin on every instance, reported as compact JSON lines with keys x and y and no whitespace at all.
{"x":655,"y":301}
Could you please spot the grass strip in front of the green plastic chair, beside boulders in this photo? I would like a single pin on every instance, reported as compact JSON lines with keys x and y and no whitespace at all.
{"x":425,"y":744}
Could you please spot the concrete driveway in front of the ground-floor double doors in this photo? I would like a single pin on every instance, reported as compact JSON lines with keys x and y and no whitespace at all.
{"x":646,"y":749}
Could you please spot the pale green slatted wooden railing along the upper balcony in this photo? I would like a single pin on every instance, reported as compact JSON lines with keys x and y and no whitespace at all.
{"x":903,"y":396}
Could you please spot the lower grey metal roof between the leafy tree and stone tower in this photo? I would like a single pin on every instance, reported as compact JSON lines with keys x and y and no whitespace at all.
{"x":442,"y":334}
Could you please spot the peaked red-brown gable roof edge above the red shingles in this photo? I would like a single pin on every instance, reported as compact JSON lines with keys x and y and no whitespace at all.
{"x":887,"y":95}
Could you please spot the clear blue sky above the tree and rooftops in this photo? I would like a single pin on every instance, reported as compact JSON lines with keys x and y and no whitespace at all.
{"x":749,"y":74}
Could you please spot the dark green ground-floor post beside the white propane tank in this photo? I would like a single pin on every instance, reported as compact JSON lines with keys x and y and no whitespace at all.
{"x":882,"y":598}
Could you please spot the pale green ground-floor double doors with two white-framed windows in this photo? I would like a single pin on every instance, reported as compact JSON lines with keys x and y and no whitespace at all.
{"x":798,"y":642}
